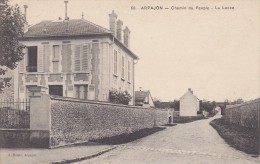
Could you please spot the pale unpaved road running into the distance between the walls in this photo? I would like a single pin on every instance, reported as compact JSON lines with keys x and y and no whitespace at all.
{"x":195,"y":142}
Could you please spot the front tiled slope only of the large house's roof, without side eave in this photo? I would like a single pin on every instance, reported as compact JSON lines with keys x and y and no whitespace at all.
{"x":65,"y":28}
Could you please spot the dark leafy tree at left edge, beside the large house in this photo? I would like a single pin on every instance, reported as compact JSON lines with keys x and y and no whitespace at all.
{"x":11,"y":28}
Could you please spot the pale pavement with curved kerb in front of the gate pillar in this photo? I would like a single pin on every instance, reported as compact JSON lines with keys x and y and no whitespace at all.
{"x":66,"y":154}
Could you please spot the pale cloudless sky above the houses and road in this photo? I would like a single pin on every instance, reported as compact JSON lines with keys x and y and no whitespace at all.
{"x":213,"y":52}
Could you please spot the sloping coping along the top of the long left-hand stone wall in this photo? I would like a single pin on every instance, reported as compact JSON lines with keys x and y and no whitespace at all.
{"x":60,"y":98}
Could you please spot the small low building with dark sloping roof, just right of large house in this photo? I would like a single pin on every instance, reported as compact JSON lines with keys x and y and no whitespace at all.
{"x":144,"y":99}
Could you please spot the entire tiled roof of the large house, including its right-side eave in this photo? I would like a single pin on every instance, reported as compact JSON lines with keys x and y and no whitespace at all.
{"x":70,"y":28}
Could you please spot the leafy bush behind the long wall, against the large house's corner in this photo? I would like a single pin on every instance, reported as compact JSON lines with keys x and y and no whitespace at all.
{"x":119,"y":97}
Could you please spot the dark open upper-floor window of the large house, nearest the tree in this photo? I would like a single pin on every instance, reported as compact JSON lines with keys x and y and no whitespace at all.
{"x":32,"y":59}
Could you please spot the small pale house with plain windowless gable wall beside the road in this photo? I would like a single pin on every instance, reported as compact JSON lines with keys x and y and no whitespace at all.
{"x":189,"y":104}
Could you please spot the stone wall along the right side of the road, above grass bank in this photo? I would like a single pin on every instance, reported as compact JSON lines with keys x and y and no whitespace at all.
{"x":246,"y":114}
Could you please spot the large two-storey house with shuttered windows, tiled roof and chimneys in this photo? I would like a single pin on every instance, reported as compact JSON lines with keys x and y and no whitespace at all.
{"x":76,"y":58}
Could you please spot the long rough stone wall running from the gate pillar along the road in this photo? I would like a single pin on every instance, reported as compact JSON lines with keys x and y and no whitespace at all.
{"x":76,"y":121}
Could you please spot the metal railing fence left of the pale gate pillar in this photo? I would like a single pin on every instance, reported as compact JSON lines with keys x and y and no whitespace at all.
{"x":14,"y":114}
